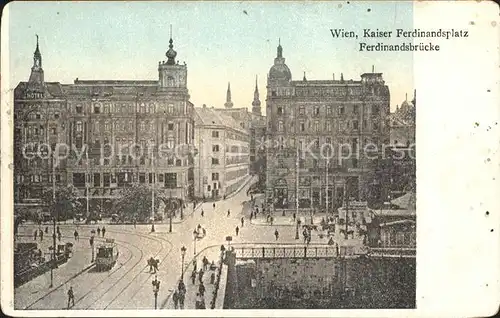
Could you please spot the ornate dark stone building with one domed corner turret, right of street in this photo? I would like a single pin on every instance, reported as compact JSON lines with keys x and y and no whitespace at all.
{"x":319,"y":135}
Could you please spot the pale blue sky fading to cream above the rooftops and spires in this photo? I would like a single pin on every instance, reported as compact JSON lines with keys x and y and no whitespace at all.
{"x":221,"y":42}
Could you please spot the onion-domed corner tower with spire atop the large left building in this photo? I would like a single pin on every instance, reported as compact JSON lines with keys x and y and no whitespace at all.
{"x":171,"y":74}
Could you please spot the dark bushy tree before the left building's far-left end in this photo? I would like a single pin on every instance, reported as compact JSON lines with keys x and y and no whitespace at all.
{"x":65,"y":204}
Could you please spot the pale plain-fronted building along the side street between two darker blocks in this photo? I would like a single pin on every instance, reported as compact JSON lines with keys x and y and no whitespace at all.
{"x":223,"y":149}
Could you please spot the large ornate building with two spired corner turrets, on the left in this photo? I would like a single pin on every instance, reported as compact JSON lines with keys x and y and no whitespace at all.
{"x":114,"y":132}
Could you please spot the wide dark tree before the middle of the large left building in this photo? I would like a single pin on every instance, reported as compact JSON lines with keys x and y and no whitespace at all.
{"x":135,"y":202}
